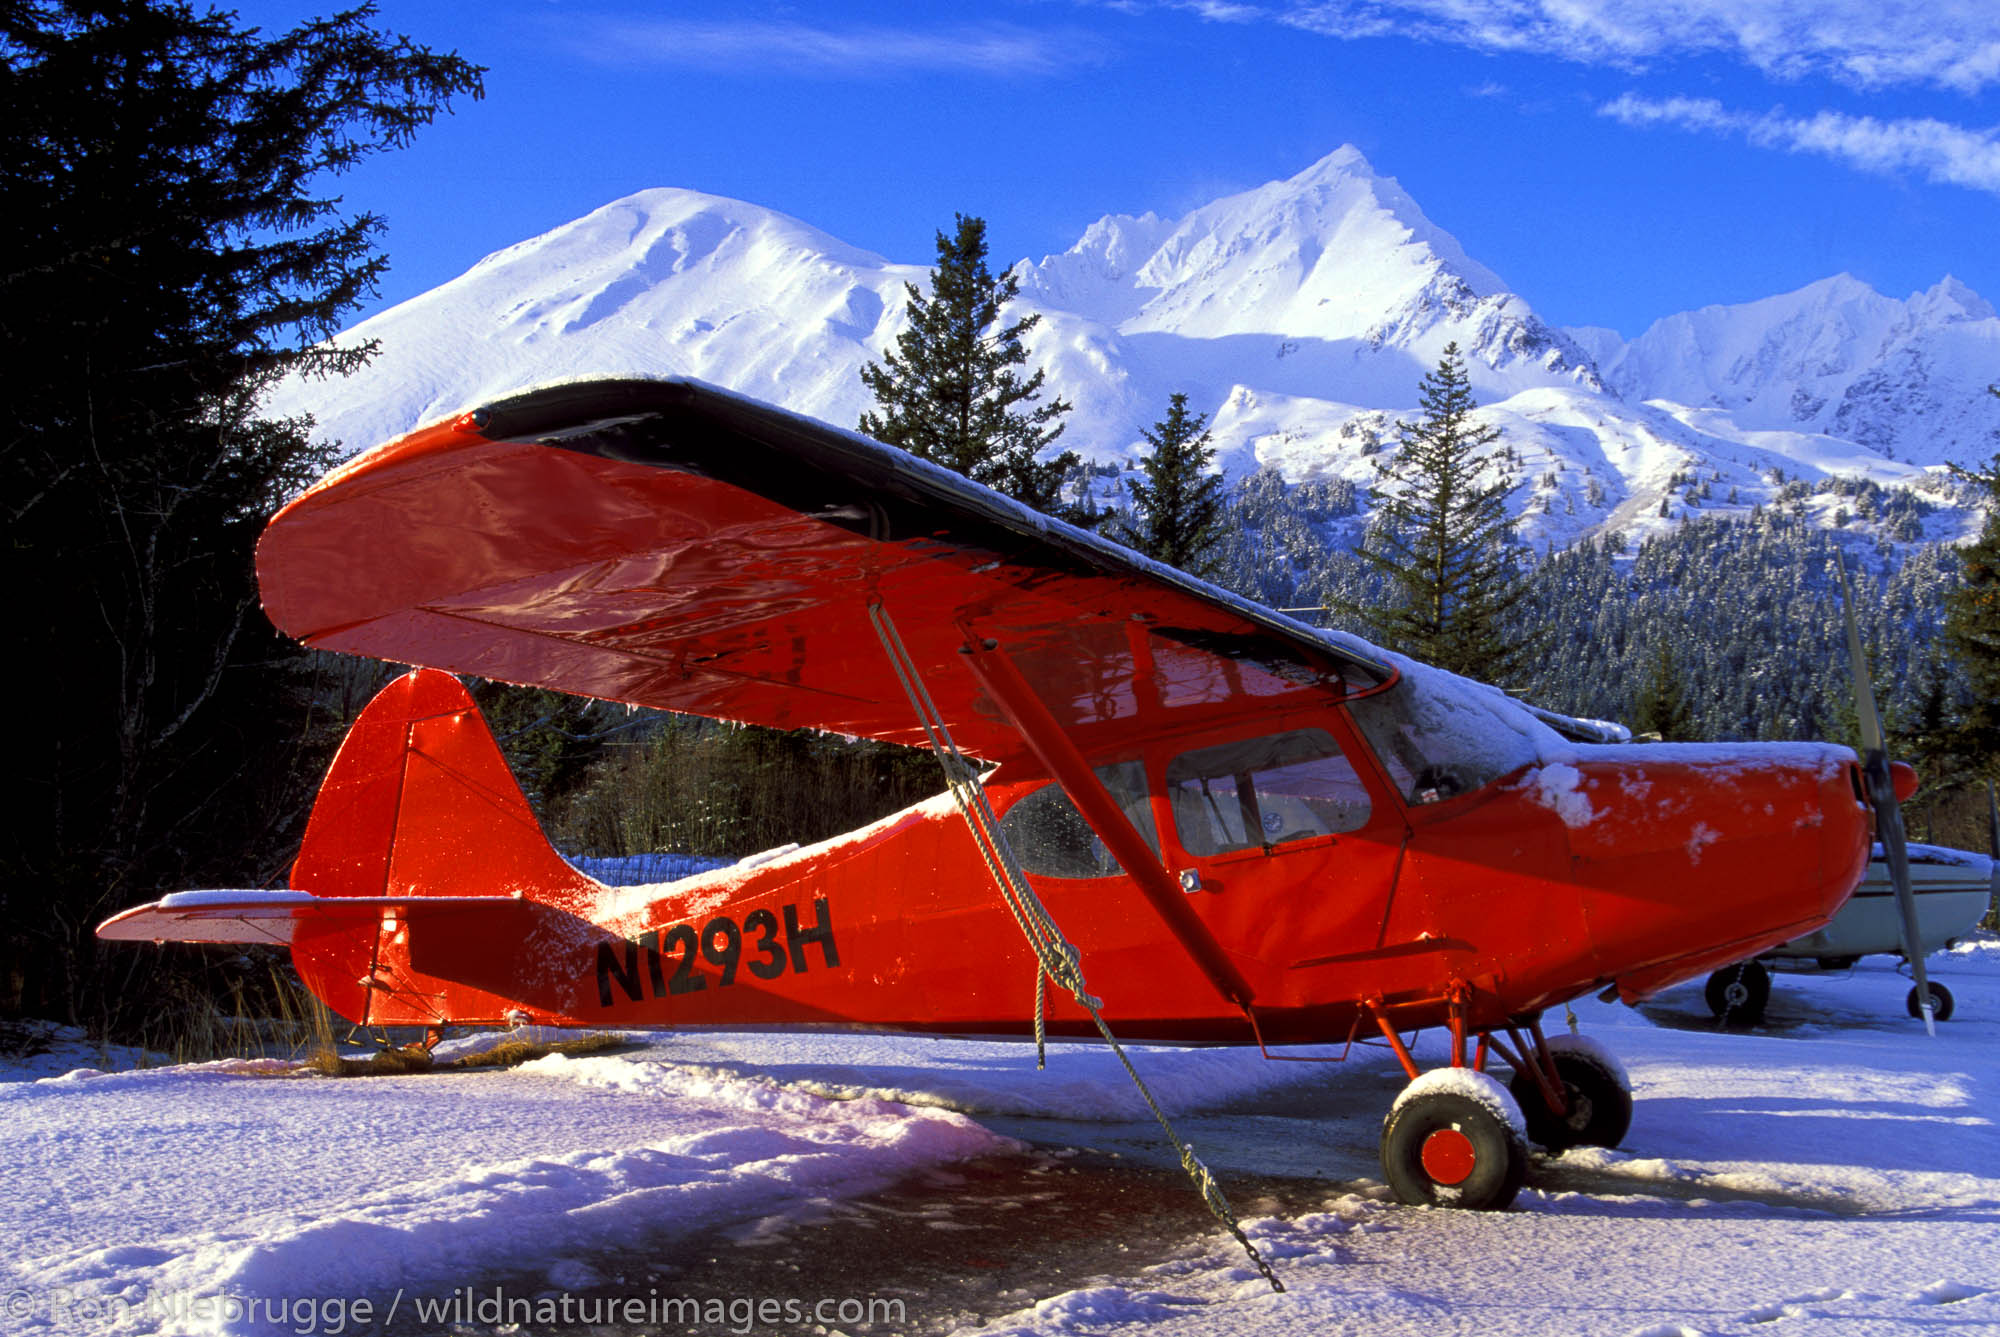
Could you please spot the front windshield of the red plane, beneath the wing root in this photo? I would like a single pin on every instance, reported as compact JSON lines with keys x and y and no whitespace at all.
{"x":1439,"y":746}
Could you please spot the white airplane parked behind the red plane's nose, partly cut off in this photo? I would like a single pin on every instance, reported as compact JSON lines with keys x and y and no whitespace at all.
{"x":1953,"y":894}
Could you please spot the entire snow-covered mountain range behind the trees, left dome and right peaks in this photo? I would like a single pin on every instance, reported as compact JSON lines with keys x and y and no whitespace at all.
{"x":1299,"y":315}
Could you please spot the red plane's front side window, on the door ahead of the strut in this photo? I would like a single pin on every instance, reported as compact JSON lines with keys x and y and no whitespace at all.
{"x":1265,"y":792}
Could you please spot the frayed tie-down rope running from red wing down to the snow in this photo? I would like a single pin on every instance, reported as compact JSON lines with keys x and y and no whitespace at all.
{"x":1055,"y":956}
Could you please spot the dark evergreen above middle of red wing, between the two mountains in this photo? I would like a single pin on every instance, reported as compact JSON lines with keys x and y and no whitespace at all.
{"x":951,"y":391}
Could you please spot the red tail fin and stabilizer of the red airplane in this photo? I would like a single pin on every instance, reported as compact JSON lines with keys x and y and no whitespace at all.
{"x":425,"y":888}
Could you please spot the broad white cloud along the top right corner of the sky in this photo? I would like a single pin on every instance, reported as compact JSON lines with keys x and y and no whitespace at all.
{"x":1867,"y":43}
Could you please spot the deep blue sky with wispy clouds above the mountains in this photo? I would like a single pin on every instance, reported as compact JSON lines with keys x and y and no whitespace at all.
{"x":1613,"y":161}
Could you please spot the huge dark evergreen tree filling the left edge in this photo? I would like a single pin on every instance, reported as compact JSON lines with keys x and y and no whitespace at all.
{"x":167,"y":251}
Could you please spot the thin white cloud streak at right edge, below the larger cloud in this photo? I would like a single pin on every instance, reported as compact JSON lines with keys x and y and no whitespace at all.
{"x":1943,"y":153}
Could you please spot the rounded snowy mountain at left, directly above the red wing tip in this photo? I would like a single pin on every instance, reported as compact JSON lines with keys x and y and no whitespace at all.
{"x":659,"y":283}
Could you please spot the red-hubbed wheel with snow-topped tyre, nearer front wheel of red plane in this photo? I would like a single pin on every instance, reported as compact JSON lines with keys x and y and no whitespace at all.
{"x":1455,"y":1140}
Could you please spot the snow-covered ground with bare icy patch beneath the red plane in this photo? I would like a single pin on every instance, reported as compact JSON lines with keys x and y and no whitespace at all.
{"x":1829,"y":1174}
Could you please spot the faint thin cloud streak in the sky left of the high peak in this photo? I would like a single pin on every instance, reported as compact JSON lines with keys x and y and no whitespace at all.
{"x":825,"y":51}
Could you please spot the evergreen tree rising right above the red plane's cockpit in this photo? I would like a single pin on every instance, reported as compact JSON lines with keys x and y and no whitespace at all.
{"x":1443,"y":539}
